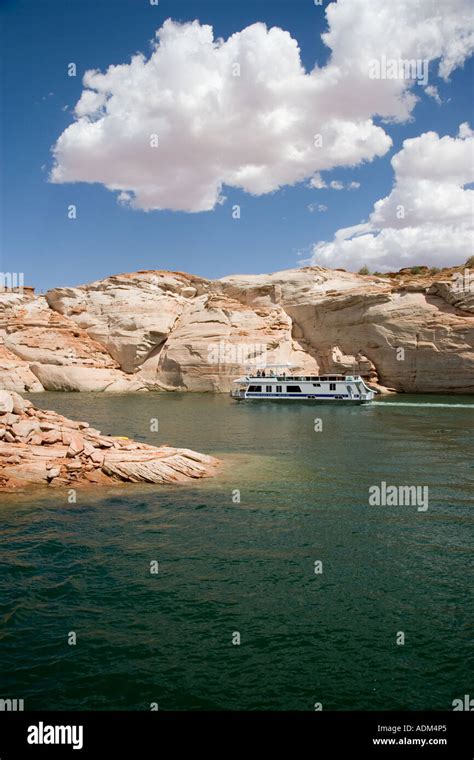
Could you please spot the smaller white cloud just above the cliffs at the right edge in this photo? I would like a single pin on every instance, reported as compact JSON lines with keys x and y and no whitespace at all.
{"x":428,"y":216}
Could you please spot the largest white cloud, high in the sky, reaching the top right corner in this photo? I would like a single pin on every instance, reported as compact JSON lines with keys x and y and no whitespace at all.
{"x":169,"y":131}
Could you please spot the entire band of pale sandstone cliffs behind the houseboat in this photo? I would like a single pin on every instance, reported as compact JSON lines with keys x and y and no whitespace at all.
{"x":172,"y":331}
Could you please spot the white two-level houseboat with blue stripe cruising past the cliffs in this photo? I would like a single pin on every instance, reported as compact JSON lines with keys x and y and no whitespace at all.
{"x":267,"y":384}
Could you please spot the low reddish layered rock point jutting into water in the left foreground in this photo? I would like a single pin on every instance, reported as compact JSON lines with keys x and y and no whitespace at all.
{"x":43,"y":448}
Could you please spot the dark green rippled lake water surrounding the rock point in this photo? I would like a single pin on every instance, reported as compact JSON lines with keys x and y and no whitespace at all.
{"x":248,"y":566}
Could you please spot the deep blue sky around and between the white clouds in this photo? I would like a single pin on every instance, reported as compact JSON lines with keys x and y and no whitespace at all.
{"x":275,"y":231}
